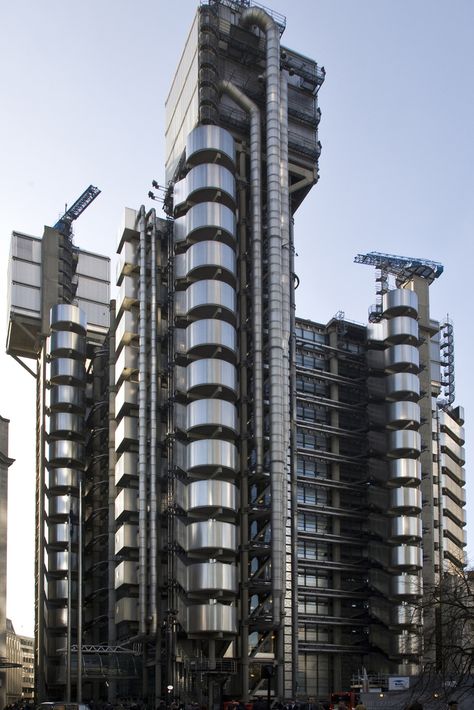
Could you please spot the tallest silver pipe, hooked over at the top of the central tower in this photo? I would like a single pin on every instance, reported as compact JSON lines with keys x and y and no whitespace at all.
{"x":256,"y":16}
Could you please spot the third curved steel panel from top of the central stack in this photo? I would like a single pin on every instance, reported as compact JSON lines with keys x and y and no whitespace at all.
{"x":206,"y":220}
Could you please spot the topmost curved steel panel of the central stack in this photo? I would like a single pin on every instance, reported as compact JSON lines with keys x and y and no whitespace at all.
{"x":209,"y":143}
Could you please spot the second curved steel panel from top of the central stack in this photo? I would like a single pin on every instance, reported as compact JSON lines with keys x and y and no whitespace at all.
{"x":202,"y":183}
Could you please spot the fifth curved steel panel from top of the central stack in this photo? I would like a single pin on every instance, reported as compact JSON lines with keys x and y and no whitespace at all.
{"x":204,"y":297}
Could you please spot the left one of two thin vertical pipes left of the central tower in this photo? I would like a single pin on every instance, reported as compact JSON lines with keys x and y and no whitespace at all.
{"x":142,"y":431}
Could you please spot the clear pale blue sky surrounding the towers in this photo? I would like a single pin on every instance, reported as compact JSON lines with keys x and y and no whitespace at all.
{"x":83,"y":86}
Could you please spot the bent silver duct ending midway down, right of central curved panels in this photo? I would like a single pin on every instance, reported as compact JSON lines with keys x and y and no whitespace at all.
{"x":257,"y":309}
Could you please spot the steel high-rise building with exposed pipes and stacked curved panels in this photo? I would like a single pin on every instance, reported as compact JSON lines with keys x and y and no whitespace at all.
{"x":230,"y":500}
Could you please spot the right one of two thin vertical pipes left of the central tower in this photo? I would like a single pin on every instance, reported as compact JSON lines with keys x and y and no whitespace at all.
{"x":153,"y":438}
